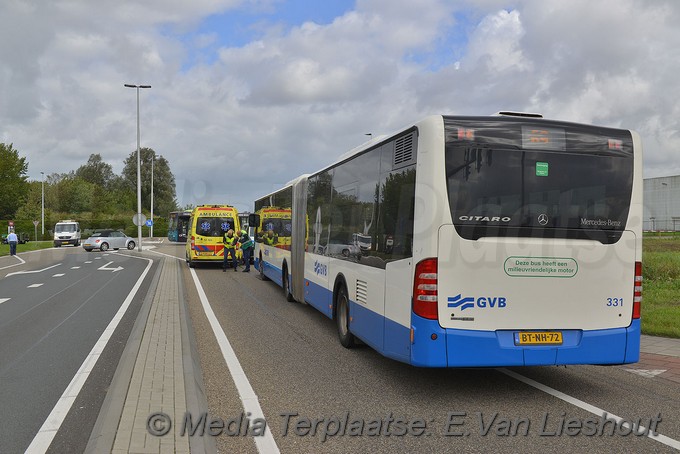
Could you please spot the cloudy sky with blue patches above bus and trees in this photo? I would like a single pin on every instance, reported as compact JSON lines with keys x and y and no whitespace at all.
{"x":248,"y":94}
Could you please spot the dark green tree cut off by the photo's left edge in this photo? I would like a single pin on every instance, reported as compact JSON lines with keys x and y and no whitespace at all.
{"x":13,"y":181}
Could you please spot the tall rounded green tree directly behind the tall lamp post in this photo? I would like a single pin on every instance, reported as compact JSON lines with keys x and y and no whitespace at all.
{"x":163,"y":181}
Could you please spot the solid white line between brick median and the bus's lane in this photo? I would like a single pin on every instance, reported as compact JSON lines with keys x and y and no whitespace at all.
{"x":265,"y":443}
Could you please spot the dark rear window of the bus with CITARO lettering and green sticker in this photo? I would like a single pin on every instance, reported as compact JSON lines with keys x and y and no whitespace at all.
{"x":510,"y":177}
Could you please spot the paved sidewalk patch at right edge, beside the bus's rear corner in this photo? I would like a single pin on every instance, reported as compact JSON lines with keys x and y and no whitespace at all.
{"x":659,"y":357}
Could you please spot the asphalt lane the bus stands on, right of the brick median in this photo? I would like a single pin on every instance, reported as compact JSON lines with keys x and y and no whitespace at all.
{"x":302,"y":377}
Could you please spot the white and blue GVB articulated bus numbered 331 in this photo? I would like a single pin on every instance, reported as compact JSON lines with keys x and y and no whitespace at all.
{"x":504,"y":240}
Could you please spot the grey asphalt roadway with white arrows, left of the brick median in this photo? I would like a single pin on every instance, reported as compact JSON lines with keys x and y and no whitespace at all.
{"x":54,"y":308}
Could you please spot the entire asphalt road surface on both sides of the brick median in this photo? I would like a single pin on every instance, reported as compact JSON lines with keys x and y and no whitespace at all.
{"x":315,"y":396}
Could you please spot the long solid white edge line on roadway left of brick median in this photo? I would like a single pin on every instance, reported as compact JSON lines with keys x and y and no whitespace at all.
{"x":49,"y":429}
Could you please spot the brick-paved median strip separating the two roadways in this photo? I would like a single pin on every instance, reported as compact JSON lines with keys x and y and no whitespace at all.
{"x":157,"y":383}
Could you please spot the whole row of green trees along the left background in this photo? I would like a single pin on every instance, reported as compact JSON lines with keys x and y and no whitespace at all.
{"x":92,"y":192}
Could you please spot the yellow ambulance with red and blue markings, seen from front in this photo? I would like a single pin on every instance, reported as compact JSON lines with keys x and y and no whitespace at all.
{"x":207,"y":226}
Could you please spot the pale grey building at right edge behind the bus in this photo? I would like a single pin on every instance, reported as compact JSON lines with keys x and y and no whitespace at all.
{"x":661,"y":204}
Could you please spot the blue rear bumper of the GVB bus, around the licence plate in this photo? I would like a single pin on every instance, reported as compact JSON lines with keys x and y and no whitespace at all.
{"x":468,"y":348}
